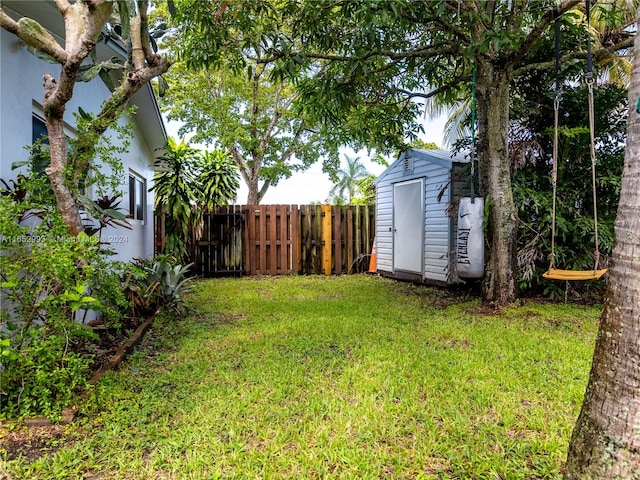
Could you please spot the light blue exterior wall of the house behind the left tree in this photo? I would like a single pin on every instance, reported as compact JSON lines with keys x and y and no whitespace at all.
{"x":21,"y":95}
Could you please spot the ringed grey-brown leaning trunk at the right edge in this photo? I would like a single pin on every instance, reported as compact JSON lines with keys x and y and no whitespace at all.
{"x":606,"y":439}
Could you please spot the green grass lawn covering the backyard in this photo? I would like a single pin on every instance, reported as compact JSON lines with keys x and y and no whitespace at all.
{"x":336,"y":377}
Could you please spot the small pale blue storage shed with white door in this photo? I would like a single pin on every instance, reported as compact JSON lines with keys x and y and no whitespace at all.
{"x":415,"y":233}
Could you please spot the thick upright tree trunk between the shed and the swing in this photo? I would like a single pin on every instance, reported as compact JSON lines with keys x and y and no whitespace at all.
{"x":500,"y":285}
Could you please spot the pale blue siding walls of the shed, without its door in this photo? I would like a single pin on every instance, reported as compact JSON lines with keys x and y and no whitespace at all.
{"x":439,"y":229}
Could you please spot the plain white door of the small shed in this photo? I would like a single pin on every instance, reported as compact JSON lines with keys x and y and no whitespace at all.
{"x":408,"y":226}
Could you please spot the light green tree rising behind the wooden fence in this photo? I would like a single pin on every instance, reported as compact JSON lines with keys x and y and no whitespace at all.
{"x":230,"y":94}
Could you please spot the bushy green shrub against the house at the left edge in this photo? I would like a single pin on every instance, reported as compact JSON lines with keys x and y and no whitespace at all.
{"x":49,"y":281}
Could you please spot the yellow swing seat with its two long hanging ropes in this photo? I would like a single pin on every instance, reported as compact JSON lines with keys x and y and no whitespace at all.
{"x":554,"y":273}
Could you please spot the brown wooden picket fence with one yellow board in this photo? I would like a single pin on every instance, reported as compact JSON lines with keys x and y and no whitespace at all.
{"x":280,"y":240}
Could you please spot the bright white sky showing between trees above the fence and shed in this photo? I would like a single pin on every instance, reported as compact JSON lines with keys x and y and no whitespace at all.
{"x":313,"y":186}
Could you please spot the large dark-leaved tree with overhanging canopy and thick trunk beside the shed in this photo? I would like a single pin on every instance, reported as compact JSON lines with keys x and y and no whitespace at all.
{"x":382,"y":60}
